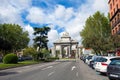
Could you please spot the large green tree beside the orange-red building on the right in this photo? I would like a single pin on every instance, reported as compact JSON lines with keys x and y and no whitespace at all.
{"x":96,"y":33}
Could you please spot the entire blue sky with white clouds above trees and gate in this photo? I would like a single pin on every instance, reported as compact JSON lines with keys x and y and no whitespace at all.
{"x":60,"y":15}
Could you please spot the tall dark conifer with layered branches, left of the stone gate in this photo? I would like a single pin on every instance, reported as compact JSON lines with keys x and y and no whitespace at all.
{"x":41,"y":38}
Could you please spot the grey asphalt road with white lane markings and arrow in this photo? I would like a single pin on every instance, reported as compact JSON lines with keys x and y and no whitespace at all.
{"x":60,"y":70}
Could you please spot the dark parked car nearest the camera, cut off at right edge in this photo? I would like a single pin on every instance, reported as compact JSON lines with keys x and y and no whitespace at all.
{"x":113,"y":69}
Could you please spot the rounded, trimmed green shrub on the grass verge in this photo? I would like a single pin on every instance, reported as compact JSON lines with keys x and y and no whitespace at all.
{"x":10,"y":58}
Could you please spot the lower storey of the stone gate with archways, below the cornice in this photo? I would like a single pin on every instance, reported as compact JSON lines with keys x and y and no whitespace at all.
{"x":66,"y":51}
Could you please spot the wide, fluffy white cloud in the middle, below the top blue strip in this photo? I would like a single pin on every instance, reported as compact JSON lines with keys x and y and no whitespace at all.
{"x":58,"y":17}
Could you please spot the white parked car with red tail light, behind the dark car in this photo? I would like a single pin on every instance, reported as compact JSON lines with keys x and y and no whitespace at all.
{"x":101,"y":65}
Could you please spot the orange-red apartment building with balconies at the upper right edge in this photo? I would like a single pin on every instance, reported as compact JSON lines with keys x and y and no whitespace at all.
{"x":114,"y":10}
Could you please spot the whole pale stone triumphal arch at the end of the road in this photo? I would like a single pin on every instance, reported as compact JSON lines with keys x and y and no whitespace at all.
{"x":66,"y":47}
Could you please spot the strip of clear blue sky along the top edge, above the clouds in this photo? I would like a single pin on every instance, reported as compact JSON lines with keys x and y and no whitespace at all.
{"x":50,"y":3}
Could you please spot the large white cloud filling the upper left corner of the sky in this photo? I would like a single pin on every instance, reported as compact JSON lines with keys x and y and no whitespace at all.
{"x":10,"y":10}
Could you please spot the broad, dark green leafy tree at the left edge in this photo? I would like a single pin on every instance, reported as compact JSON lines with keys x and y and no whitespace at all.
{"x":12,"y":37}
